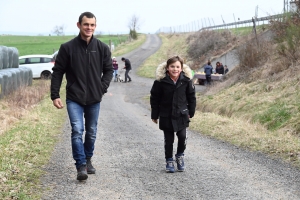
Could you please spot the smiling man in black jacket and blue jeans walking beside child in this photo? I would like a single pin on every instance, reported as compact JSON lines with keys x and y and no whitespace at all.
{"x":86,"y":61}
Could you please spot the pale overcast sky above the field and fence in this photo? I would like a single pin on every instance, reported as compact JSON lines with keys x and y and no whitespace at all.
{"x":41,"y":16}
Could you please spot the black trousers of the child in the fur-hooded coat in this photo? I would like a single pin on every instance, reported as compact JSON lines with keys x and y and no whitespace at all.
{"x":169,"y":140}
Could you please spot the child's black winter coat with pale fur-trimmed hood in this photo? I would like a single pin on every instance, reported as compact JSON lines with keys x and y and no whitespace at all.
{"x":173,"y":104}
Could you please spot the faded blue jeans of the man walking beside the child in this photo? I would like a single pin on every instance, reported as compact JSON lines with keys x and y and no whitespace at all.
{"x":82,"y":150}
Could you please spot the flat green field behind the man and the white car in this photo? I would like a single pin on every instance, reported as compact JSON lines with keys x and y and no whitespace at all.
{"x":49,"y":44}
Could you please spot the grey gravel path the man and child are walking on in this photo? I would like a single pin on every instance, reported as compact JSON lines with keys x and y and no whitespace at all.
{"x":129,"y":157}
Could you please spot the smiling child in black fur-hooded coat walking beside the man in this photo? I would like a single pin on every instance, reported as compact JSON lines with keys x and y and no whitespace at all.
{"x":173,"y":102}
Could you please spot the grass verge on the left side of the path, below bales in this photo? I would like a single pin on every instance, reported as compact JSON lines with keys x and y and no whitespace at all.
{"x":27,"y":146}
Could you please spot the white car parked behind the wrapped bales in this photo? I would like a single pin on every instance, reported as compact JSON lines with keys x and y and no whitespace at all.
{"x":40,"y":65}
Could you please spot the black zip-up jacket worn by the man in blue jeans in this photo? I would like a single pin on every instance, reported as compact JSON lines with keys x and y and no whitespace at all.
{"x":88,"y":70}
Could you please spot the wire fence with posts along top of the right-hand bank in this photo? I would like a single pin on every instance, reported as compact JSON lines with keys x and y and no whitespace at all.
{"x":205,"y":25}
